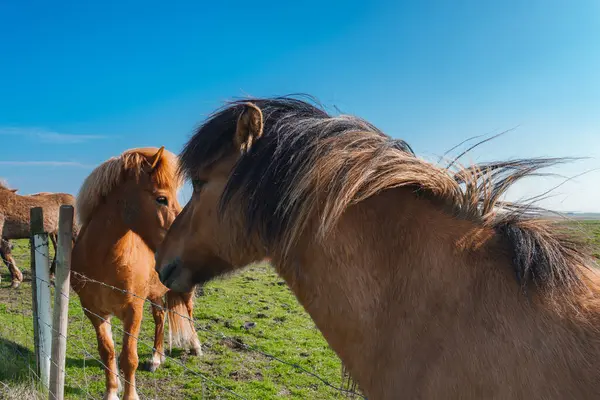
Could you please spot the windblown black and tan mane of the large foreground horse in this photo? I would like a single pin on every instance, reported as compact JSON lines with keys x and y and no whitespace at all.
{"x":309,"y":164}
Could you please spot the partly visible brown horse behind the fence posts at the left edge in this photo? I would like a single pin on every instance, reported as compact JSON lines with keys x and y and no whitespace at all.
{"x":15,"y":222}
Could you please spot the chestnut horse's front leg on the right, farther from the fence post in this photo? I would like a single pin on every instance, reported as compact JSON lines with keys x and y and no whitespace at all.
{"x":128,"y":359}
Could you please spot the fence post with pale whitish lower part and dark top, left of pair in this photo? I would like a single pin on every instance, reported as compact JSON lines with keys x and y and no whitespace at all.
{"x":41,"y":295}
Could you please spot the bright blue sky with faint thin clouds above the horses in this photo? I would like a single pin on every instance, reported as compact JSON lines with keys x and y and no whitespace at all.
{"x":83,"y":81}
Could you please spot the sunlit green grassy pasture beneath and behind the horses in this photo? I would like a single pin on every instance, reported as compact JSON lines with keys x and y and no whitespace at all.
{"x":223,"y":312}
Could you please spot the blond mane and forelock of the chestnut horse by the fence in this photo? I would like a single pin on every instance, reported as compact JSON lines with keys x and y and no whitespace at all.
{"x":115,"y":171}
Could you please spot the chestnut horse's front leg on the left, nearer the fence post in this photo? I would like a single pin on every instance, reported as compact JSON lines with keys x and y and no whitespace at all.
{"x":106,"y":349}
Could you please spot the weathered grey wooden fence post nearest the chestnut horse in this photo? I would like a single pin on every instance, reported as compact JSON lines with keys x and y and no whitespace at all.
{"x":60,"y":317}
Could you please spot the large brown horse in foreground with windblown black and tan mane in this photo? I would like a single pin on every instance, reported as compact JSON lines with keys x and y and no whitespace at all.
{"x":423,"y":282}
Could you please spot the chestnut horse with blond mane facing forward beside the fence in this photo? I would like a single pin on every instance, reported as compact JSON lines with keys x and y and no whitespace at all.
{"x":125,"y":207}
